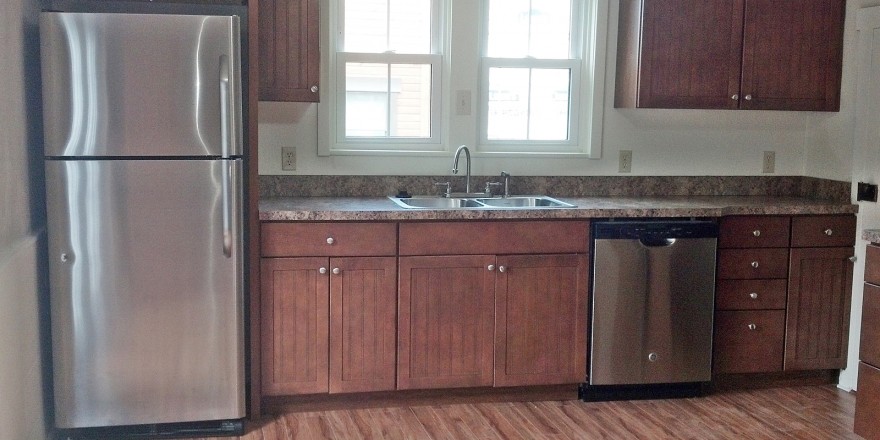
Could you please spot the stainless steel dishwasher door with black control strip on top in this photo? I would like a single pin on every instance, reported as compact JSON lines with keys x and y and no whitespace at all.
{"x":653,"y":302}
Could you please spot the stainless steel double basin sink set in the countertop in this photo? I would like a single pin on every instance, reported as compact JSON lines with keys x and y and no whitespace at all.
{"x":518,"y":202}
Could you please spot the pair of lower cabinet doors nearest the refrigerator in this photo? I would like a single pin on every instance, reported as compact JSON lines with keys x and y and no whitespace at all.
{"x":328,"y":324}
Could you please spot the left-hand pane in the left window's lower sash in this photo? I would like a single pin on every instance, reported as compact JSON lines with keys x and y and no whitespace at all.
{"x":366,"y":100}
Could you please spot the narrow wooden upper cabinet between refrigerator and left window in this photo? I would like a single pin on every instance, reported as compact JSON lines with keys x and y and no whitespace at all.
{"x":289,"y":50}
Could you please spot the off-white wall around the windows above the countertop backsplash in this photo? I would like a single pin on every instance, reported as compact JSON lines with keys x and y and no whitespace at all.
{"x":664,"y":142}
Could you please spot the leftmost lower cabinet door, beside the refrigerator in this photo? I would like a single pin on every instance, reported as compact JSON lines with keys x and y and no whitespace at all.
{"x":295,"y":322}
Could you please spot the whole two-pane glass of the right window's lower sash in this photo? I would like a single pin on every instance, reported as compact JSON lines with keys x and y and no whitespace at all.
{"x":528,"y":104}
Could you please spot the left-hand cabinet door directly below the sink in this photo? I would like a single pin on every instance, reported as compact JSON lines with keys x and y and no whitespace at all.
{"x":445,"y":320}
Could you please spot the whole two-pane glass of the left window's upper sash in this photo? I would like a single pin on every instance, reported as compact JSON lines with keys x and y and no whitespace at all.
{"x":377,"y":26}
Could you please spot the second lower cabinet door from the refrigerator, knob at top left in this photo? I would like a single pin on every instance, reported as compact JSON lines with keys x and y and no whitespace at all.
{"x":363,"y":317}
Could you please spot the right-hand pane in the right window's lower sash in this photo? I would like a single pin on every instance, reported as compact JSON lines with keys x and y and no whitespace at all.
{"x":548,"y":111}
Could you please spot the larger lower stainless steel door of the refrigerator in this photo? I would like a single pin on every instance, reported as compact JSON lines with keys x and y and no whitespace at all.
{"x":146,"y":291}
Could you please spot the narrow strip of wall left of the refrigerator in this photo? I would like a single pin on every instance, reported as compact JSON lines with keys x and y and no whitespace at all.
{"x":21,"y":225}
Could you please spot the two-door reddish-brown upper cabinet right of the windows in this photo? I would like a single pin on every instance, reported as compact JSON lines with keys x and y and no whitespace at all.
{"x":730,"y":54}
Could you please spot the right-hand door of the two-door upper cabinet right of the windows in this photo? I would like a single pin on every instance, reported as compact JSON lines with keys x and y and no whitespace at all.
{"x":792,"y":55}
